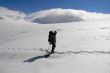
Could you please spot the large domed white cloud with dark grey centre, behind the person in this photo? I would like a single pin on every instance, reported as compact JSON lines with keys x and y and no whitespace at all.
{"x":59,"y":15}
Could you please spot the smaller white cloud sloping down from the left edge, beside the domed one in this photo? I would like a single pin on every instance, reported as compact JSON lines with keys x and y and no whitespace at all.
{"x":8,"y":14}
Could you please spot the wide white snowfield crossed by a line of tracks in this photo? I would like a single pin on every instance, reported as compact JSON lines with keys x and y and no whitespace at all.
{"x":82,"y":47}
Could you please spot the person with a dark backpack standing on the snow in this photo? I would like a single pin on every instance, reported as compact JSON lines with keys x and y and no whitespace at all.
{"x":52,"y":39}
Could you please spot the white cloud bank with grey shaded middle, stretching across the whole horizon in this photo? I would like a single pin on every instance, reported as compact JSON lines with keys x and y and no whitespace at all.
{"x":57,"y":15}
